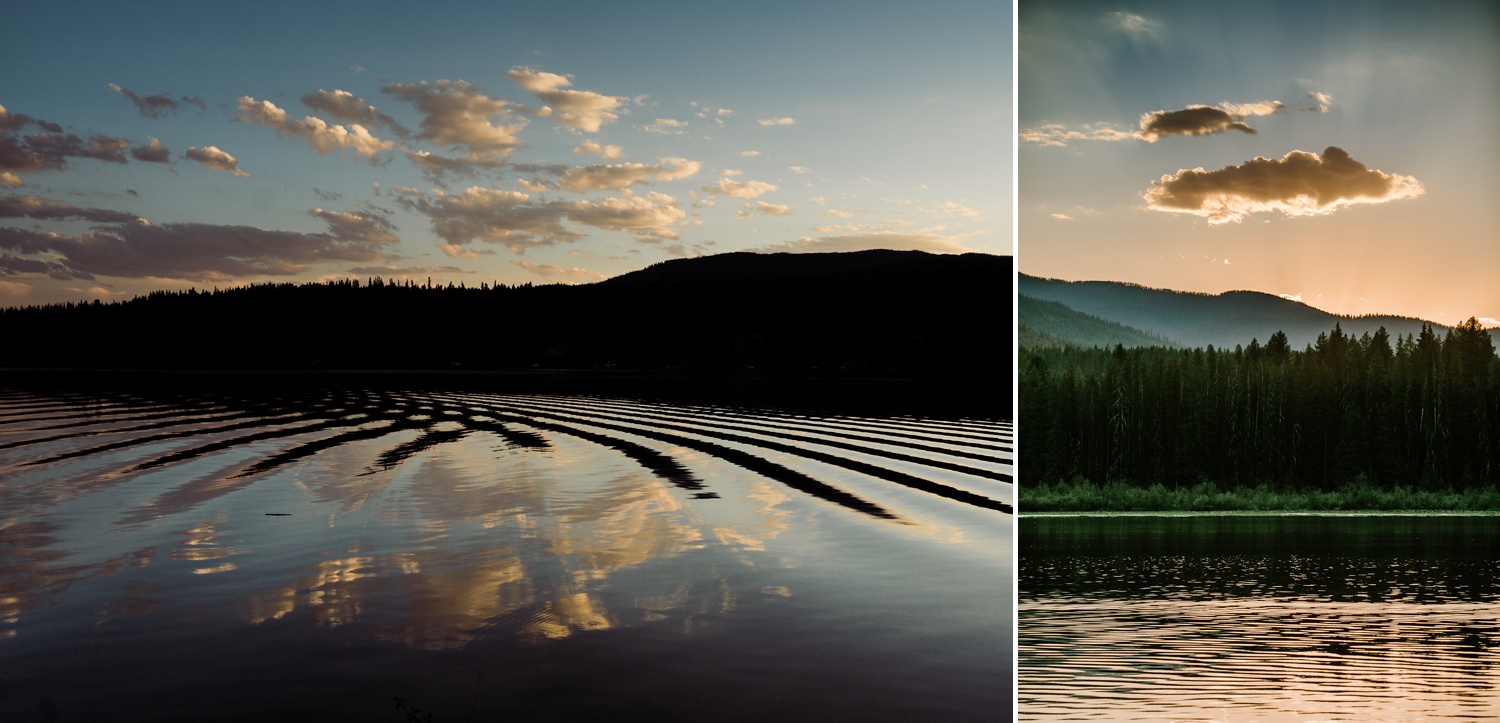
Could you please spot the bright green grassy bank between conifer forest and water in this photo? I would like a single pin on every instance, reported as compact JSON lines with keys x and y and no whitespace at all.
{"x":1084,"y":496}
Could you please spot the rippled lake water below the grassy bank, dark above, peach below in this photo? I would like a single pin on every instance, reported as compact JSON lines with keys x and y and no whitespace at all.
{"x":1243,"y":619}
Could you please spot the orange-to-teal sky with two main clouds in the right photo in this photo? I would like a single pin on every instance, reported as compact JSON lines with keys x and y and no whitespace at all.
{"x":1340,"y":154}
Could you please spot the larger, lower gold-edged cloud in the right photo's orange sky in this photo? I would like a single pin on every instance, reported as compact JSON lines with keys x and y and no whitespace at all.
{"x":1300,"y":184}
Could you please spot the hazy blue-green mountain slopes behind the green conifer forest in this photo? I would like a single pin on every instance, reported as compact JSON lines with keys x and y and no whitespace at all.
{"x":1199,"y":320}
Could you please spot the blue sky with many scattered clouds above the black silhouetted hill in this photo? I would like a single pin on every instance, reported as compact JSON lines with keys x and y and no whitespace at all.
{"x":169,"y":146}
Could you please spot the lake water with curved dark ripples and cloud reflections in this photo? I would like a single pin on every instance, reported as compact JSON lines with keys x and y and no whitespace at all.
{"x":217,"y":553}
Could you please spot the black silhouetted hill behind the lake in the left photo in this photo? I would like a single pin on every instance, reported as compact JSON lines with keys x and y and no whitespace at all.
{"x":865,"y":314}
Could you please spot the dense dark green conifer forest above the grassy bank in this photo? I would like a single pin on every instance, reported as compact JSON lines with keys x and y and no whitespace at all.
{"x":1415,"y":412}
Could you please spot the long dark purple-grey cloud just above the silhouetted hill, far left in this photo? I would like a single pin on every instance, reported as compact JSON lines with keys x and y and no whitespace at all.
{"x":185,"y":251}
